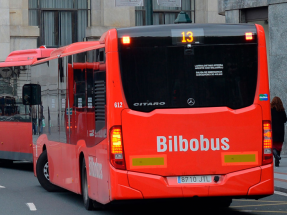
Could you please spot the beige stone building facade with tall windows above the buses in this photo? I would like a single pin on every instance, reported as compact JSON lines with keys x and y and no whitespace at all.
{"x":28,"y":24}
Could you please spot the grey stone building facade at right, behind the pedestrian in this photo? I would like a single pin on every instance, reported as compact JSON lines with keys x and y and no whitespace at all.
{"x":271,"y":14}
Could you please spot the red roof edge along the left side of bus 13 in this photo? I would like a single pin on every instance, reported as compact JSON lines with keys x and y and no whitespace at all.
{"x":71,"y":49}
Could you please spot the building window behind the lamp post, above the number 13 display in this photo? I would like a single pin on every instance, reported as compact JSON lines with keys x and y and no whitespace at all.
{"x":165,"y":15}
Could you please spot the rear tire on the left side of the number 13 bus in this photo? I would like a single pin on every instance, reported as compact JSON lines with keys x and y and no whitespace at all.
{"x":88,"y":203}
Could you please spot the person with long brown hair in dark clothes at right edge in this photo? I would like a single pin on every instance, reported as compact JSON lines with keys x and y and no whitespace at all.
{"x":278,"y":116}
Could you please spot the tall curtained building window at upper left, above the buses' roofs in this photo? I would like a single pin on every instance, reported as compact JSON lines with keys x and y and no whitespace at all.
{"x":60,"y":22}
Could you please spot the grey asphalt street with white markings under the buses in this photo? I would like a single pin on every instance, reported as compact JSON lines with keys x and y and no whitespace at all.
{"x":21,"y":193}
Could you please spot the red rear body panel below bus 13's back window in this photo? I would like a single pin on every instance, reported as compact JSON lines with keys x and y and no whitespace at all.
{"x":241,"y":127}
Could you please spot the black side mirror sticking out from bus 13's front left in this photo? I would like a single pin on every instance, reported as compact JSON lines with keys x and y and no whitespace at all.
{"x":31,"y":94}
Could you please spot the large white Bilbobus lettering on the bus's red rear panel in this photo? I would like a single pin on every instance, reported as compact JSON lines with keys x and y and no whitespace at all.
{"x":203,"y":144}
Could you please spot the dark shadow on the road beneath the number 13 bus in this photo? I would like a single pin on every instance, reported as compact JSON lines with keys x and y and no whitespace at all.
{"x":152,"y":207}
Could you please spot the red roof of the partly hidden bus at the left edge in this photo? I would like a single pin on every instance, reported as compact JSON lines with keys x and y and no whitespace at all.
{"x":26,"y":57}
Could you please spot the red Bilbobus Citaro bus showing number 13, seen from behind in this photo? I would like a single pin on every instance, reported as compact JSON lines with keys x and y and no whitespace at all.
{"x":154,"y":112}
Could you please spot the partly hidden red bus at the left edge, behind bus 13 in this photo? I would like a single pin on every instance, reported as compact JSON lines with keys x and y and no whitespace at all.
{"x":15,"y":118}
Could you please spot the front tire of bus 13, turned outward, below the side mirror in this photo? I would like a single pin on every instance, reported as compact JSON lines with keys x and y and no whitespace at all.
{"x":42,"y":170}
